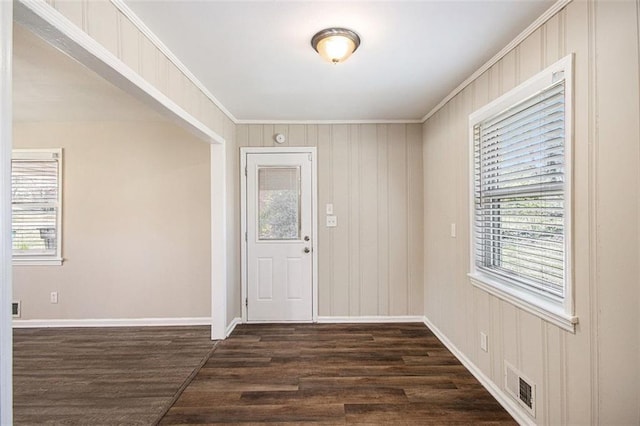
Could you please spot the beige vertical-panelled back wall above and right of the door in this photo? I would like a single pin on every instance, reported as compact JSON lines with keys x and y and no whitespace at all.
{"x":371,"y":264}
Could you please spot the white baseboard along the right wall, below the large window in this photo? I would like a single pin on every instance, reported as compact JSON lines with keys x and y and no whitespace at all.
{"x":505,"y":400}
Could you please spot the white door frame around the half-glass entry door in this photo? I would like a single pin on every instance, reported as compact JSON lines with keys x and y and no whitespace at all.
{"x":314,"y":220}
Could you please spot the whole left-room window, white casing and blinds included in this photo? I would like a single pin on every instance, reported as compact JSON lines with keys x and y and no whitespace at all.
{"x":36,"y":204}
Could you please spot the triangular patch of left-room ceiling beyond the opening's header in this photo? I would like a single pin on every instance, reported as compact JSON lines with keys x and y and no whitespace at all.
{"x":48,"y":85}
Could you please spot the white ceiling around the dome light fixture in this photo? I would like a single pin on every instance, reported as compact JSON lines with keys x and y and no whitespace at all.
{"x":255,"y":56}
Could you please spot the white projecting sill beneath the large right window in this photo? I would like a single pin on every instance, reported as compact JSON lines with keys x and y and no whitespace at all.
{"x":532,"y":303}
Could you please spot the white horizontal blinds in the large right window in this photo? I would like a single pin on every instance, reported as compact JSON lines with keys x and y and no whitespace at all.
{"x":519,"y":192}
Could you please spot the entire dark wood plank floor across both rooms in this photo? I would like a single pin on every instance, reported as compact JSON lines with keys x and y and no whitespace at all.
{"x":277,"y":373}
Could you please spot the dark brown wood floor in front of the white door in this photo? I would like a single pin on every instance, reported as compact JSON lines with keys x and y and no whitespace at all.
{"x":334,"y":374}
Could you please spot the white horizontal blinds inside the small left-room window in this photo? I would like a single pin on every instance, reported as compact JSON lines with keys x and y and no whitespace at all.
{"x":35,"y":198}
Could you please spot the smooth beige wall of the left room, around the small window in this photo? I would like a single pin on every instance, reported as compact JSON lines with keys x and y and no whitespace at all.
{"x":136,"y":223}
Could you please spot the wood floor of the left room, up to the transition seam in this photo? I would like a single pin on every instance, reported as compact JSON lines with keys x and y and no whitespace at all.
{"x":103,"y":376}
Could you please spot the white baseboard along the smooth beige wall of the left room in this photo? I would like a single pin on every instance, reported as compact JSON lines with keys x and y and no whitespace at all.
{"x":117,"y":322}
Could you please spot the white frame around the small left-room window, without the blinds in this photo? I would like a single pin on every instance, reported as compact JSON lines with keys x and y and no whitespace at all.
{"x":54,"y":259}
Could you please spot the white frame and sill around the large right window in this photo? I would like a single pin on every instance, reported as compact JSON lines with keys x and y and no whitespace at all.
{"x":559,"y":311}
